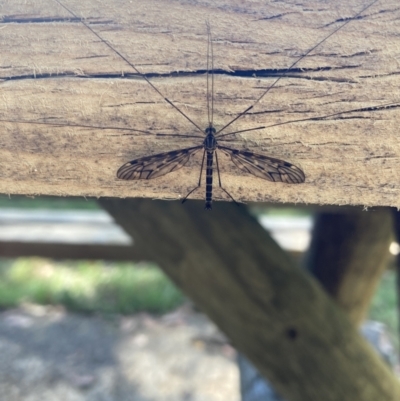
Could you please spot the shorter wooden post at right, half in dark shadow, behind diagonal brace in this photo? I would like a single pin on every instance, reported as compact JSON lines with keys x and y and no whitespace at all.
{"x":348,"y":254}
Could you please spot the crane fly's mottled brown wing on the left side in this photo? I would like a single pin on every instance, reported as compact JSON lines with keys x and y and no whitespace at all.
{"x":155,"y":166}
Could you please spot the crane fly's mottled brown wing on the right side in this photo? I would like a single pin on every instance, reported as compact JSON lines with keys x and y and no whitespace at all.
{"x":264,"y":166}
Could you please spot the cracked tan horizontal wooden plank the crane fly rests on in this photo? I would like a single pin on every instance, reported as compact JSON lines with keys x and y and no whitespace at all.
{"x":55,"y":71}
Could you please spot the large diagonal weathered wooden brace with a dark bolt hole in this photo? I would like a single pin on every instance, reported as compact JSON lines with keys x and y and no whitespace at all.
{"x":273,"y":312}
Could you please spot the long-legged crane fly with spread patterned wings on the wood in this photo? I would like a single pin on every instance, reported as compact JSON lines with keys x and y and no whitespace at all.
{"x":262,"y":166}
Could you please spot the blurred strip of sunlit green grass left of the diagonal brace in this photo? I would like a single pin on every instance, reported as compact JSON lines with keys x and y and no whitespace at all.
{"x":87,"y":286}
